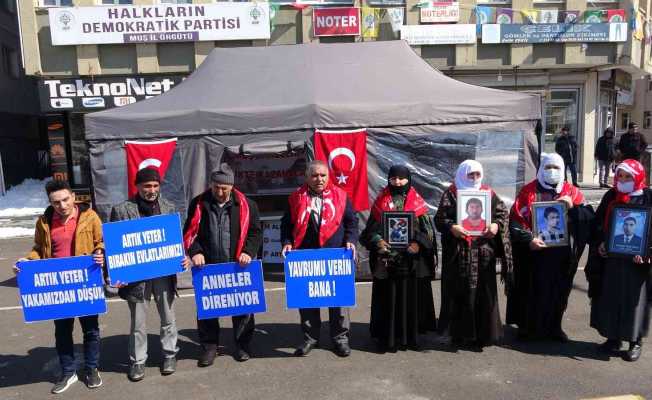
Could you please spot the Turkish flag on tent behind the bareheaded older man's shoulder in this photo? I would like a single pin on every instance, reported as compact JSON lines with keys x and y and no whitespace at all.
{"x":345,"y":152}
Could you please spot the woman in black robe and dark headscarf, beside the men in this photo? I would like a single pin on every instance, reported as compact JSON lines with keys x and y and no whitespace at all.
{"x":402,"y":305}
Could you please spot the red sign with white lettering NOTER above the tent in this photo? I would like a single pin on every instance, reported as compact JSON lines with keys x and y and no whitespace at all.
{"x":339,"y":21}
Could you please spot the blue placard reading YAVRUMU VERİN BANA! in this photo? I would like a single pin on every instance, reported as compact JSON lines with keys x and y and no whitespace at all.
{"x":320,"y":278}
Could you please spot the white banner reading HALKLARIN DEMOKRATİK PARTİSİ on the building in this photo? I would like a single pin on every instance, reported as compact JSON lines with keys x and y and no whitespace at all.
{"x":159,"y":23}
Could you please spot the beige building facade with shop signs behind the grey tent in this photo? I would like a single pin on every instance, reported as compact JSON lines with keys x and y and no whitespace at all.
{"x":583,"y":71}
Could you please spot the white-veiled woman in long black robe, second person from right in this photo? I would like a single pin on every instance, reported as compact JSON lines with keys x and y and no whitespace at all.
{"x":544,"y":274}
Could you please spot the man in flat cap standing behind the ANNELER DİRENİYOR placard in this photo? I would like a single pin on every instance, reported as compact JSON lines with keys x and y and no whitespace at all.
{"x":223,"y":226}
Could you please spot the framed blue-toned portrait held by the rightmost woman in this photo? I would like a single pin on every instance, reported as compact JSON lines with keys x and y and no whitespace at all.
{"x":629,"y":228}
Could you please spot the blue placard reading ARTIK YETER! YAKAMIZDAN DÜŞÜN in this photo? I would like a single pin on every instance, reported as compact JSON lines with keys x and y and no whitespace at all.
{"x":57,"y":288}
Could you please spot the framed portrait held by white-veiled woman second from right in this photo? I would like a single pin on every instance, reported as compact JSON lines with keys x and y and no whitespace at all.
{"x":550,"y":222}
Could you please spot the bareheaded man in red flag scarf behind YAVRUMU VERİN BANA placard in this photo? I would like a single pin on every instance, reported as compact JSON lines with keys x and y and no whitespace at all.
{"x":320,"y":216}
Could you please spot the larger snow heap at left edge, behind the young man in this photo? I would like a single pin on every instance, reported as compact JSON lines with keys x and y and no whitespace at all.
{"x":25,"y":199}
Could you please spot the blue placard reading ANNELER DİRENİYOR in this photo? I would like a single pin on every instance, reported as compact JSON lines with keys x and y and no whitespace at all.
{"x":229,"y":289}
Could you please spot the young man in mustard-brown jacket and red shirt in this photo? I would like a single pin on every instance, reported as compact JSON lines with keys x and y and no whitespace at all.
{"x":67,"y":229}
